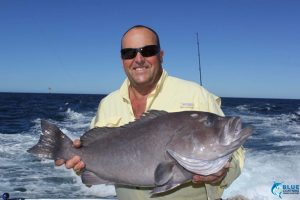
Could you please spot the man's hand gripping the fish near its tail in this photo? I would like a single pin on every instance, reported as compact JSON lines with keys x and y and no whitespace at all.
{"x":75,"y":162}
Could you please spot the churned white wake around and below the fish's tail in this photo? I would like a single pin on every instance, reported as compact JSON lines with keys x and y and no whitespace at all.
{"x":24,"y":175}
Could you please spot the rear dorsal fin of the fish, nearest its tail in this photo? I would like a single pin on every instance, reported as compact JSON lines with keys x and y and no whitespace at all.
{"x":95,"y":134}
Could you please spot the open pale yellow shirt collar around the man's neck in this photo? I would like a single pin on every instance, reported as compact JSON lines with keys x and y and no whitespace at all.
{"x":124,"y":87}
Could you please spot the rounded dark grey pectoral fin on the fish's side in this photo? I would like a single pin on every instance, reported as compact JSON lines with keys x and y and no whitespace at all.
{"x":163,"y":173}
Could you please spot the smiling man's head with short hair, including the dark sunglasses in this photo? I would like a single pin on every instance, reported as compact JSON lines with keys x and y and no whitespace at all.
{"x":141,"y":56}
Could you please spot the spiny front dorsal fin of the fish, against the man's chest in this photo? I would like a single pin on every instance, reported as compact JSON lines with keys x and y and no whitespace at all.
{"x":147,"y":116}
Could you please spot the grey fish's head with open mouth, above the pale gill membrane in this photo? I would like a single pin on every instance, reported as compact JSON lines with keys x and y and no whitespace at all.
{"x":207,"y":136}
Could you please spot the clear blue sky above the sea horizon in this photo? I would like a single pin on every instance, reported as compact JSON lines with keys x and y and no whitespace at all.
{"x":249,"y":48}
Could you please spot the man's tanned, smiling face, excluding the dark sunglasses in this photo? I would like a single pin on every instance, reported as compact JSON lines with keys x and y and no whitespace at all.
{"x":142,"y":71}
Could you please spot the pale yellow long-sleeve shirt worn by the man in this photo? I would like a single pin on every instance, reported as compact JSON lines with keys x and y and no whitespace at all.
{"x":172,"y":95}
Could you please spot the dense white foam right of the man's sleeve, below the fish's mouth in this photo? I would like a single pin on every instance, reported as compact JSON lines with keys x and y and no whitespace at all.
{"x":260,"y":172}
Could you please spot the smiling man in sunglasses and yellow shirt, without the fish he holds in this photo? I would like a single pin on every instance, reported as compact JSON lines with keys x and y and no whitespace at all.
{"x":148,"y":87}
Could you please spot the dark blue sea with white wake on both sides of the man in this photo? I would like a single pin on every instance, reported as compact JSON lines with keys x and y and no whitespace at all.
{"x":273,"y":151}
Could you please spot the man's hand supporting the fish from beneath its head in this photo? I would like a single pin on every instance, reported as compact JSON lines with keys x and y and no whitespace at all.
{"x":213,"y":178}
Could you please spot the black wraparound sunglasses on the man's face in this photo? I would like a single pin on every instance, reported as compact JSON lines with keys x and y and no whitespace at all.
{"x":146,"y":51}
